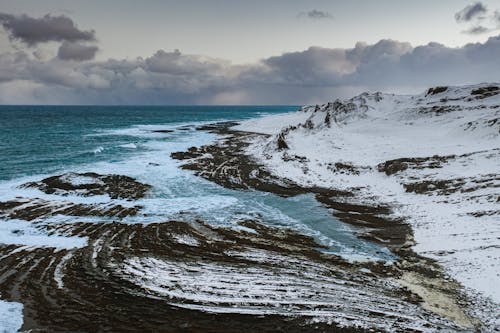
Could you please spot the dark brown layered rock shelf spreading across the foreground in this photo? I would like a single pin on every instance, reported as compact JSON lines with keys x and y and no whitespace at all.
{"x":86,"y":289}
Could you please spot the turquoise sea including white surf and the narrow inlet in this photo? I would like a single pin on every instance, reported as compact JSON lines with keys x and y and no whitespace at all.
{"x":39,"y":141}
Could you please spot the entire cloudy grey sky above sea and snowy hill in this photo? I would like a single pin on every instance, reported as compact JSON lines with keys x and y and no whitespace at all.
{"x":240,"y":52}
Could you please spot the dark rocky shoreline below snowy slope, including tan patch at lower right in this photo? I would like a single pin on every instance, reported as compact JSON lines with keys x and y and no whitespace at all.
{"x":226,"y":163}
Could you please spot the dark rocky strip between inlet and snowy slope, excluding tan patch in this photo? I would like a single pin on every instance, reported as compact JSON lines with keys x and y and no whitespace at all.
{"x":225,"y":163}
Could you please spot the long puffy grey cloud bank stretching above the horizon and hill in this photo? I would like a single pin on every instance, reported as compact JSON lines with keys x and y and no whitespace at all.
{"x":313,"y":75}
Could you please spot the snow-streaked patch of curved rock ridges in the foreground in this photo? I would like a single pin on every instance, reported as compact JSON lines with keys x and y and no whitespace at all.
{"x":278,"y":285}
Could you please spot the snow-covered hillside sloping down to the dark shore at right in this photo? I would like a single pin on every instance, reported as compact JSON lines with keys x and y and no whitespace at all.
{"x":451,"y":196}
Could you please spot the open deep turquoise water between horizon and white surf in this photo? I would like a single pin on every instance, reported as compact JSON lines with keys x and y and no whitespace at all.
{"x":40,"y":139}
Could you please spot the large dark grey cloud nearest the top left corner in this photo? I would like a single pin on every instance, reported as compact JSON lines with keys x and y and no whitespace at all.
{"x":45,"y":29}
